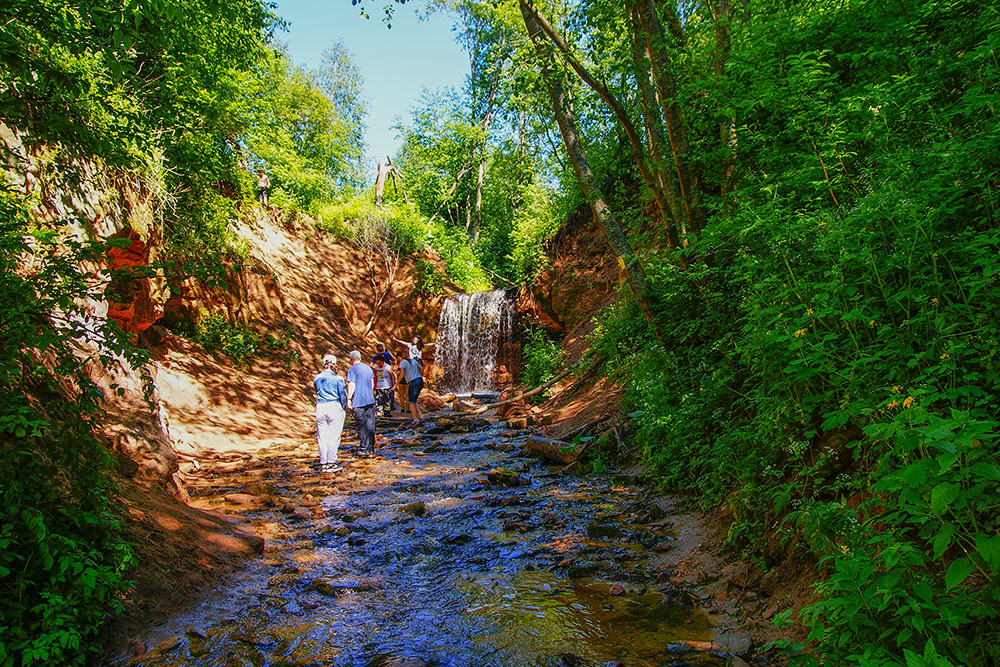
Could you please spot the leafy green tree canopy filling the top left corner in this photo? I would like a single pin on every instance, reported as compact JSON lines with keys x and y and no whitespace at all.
{"x":154,"y":81}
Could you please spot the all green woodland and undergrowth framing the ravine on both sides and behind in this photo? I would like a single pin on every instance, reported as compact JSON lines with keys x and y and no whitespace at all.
{"x":803,"y":197}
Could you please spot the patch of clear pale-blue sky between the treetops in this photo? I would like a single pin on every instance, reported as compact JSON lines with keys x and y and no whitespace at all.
{"x":397,"y":64}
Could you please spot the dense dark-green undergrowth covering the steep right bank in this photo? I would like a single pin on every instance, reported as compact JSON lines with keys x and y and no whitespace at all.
{"x":832,"y":373}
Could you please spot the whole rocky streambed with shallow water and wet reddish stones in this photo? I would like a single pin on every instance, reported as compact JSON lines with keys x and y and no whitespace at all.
{"x":453,"y":547}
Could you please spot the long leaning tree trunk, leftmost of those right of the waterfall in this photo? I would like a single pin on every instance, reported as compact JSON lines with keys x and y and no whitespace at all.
{"x":634,"y":272}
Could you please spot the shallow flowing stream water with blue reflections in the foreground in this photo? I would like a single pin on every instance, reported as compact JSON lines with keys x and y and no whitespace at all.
{"x":474,"y":579}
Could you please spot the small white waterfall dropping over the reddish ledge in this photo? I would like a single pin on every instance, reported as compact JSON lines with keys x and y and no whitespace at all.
{"x":470,"y":332}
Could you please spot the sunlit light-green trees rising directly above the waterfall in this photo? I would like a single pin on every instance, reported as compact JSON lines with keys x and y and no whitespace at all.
{"x":465,"y":170}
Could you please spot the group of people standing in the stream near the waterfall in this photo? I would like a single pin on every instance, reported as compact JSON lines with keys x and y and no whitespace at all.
{"x":367,"y":391}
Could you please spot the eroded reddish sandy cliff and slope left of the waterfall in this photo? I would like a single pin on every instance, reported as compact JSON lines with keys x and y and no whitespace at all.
{"x":297,"y":281}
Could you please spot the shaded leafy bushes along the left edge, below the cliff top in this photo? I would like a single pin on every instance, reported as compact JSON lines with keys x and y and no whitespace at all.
{"x":61,"y":552}
